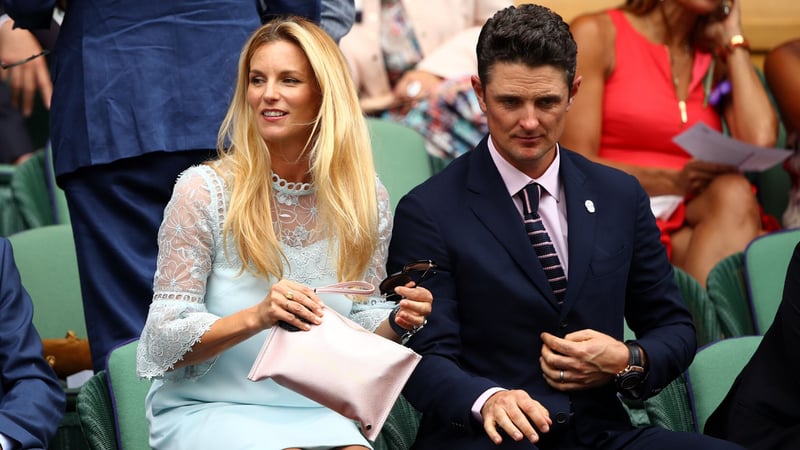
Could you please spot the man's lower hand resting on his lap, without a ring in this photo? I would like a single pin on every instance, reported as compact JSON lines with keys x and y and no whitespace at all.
{"x":517,"y":414}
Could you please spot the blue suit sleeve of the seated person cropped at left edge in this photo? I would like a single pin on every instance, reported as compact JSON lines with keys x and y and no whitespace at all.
{"x":32,"y":400}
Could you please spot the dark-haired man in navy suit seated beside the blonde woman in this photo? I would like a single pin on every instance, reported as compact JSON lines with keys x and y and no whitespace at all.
{"x":506,"y":362}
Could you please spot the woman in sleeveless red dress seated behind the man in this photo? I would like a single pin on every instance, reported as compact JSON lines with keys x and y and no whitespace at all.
{"x":650,"y":70}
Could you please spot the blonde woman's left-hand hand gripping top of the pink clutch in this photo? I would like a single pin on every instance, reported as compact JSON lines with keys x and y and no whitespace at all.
{"x":292,"y":303}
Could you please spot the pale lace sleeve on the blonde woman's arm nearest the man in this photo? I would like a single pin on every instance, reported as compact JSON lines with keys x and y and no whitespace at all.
{"x":371,"y":312}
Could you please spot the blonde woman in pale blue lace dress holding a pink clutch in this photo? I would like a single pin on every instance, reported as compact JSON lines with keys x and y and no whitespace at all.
{"x":292,"y":203}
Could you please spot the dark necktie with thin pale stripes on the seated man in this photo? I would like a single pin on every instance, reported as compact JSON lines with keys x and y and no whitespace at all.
{"x":541,"y":240}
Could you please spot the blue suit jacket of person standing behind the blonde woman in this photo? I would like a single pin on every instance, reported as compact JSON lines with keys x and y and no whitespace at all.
{"x":133,"y":77}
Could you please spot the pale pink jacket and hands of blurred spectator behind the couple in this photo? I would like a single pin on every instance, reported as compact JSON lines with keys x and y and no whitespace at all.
{"x":446,"y":32}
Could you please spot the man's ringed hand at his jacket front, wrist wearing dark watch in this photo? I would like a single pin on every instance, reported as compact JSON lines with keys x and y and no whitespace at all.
{"x":581,"y":360}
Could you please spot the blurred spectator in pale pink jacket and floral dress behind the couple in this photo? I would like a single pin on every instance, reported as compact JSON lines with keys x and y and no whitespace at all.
{"x":412,"y":59}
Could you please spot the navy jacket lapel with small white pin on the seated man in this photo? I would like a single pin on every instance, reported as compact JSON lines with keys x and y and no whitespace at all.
{"x":581,"y":217}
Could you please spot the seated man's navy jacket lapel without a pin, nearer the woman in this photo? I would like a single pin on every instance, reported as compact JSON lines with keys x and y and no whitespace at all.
{"x":490,"y":202}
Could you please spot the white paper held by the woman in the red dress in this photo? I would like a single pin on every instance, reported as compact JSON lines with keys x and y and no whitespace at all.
{"x":710,"y":145}
